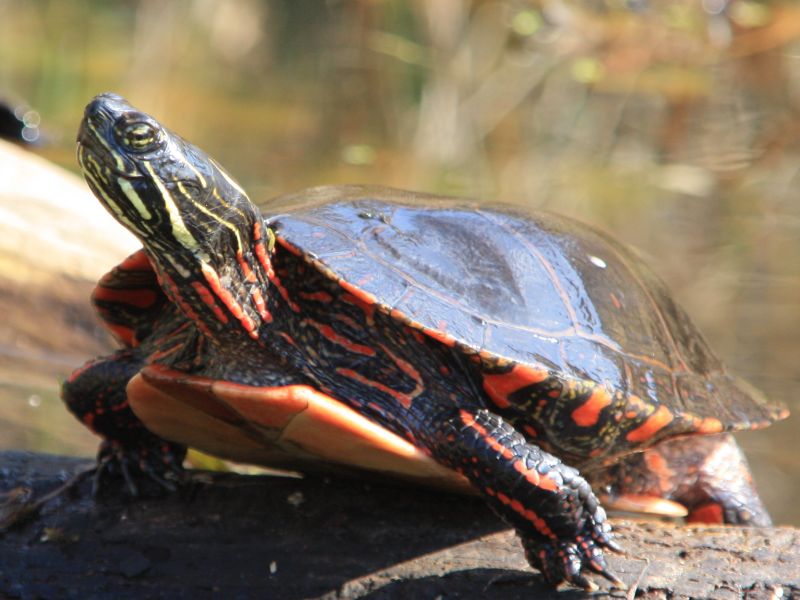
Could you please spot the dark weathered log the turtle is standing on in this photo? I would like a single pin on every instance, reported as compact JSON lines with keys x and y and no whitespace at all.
{"x":276,"y":537}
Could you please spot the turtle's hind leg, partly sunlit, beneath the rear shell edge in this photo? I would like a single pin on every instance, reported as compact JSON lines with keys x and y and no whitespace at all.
{"x":708,"y":475}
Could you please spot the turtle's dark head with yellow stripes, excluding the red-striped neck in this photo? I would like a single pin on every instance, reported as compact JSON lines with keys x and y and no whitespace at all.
{"x":168,"y":192}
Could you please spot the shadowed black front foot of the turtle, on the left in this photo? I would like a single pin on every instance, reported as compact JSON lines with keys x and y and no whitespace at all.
{"x":145,"y":470}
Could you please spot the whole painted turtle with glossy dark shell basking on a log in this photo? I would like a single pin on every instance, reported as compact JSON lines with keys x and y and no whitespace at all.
{"x":401,"y":333}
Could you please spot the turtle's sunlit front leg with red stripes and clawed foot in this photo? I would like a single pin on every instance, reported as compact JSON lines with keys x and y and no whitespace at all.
{"x":562,"y":526}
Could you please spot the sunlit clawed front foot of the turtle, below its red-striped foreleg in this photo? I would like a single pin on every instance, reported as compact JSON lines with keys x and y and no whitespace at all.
{"x":566,"y":560}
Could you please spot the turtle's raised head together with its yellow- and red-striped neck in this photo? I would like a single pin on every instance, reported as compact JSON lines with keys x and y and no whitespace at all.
{"x":202,"y":233}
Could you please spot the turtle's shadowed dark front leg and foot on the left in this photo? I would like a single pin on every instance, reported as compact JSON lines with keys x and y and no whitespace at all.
{"x":96,"y":395}
